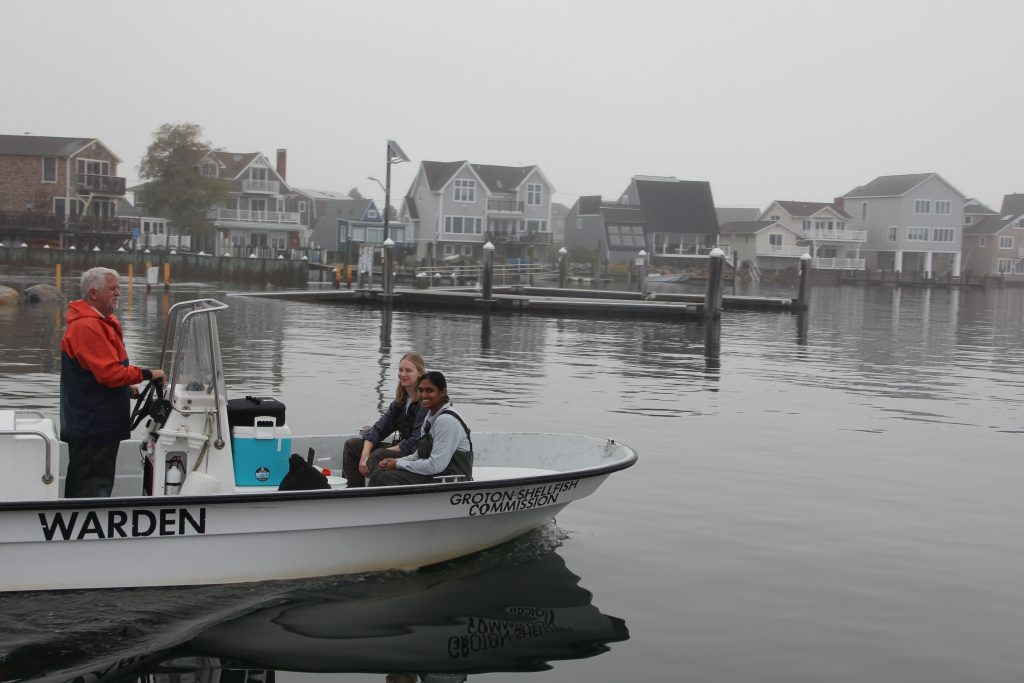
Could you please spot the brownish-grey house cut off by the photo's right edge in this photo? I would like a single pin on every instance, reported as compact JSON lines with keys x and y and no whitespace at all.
{"x":994,"y":244}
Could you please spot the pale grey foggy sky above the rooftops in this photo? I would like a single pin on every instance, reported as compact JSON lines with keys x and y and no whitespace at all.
{"x":767,"y":101}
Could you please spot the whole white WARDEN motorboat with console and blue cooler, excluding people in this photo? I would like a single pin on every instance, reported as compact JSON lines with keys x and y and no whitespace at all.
{"x":205,"y":509}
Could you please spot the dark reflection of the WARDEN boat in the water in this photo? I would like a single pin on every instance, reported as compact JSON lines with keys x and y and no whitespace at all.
{"x":514,"y":609}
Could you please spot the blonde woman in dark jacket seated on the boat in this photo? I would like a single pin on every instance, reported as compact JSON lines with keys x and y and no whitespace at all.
{"x":403,"y":417}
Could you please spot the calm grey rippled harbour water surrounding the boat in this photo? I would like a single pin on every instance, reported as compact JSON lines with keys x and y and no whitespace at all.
{"x":841,"y":506}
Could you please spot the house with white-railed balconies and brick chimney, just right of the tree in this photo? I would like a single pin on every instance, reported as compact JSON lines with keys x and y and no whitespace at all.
{"x":263,"y":215}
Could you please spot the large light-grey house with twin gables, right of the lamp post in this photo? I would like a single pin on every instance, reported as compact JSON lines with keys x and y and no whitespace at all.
{"x":454,"y":208}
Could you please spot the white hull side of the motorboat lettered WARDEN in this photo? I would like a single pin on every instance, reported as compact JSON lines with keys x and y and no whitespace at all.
{"x":249,"y":537}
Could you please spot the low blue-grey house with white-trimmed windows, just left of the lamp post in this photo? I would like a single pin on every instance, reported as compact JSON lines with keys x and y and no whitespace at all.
{"x":346,"y":227}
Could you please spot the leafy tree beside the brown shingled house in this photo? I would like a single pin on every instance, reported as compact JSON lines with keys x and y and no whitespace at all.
{"x":176,"y":189}
